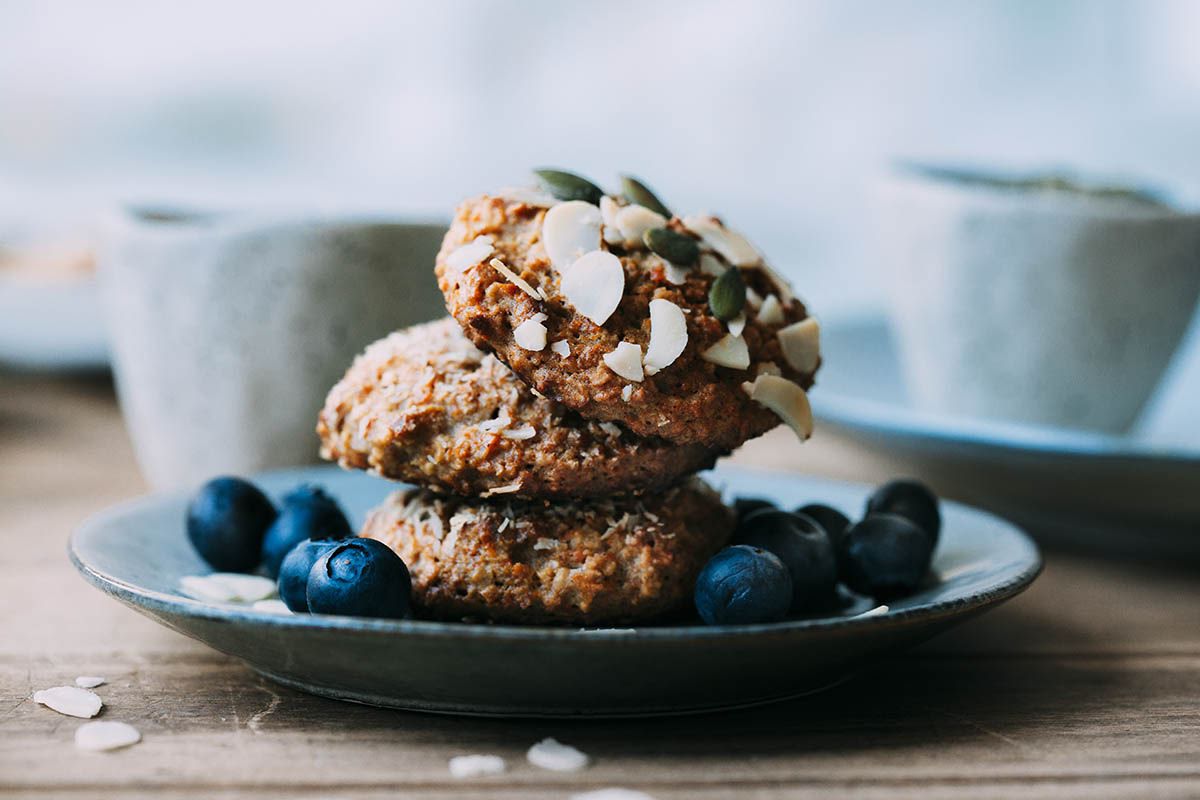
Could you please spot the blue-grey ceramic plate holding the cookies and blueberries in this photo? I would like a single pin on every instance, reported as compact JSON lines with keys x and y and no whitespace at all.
{"x":139,"y":552}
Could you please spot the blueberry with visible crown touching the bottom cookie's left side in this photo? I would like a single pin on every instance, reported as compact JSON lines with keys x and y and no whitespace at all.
{"x":359,"y":578}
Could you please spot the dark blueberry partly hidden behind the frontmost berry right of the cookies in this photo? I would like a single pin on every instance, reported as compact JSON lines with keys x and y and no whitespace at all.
{"x":803,"y":548}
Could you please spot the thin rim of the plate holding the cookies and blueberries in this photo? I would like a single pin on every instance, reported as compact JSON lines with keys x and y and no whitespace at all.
{"x":179,"y":605}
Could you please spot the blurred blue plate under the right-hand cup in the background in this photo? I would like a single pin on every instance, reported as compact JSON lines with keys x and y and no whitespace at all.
{"x":1125,"y":495}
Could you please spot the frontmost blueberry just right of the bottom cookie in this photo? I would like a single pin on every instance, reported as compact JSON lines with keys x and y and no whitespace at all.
{"x":742,"y":586}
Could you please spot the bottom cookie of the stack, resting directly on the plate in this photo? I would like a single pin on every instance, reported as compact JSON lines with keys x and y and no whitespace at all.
{"x":613,"y":562}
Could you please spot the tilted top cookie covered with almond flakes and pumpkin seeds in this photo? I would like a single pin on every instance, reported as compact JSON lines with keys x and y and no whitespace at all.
{"x":610,"y":309}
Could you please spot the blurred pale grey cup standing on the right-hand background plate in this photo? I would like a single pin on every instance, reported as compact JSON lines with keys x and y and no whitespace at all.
{"x":1053,"y":308}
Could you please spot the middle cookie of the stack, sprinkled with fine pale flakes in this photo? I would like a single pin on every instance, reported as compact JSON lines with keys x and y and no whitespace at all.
{"x":427,"y":407}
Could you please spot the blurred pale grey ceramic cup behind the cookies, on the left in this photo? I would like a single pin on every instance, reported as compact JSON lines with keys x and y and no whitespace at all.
{"x":229,"y":330}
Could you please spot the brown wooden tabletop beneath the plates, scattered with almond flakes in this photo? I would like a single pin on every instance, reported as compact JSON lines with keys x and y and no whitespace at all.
{"x":1087,"y":687}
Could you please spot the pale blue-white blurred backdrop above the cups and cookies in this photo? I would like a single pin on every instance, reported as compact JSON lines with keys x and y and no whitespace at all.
{"x":778,"y":115}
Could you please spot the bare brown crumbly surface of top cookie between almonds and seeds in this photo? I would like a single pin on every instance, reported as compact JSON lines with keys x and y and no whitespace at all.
{"x":691,"y":401}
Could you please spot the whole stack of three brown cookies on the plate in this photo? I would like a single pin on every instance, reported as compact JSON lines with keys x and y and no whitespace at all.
{"x":599,"y":352}
